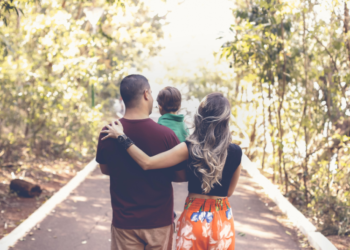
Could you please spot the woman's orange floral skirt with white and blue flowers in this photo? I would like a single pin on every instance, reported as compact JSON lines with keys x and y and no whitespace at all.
{"x":206,"y":224}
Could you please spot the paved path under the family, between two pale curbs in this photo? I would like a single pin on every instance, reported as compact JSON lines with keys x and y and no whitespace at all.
{"x":83,"y":220}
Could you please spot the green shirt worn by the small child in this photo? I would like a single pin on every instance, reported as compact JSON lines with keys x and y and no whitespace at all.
{"x":176,"y":124}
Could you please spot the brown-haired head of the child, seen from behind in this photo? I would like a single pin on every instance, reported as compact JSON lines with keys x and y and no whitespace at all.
{"x":170,"y":99}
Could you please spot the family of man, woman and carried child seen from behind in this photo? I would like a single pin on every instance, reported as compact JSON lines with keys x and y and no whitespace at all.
{"x":143,"y":158}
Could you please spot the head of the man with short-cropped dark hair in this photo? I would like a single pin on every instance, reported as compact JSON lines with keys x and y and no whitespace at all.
{"x":132,"y":88}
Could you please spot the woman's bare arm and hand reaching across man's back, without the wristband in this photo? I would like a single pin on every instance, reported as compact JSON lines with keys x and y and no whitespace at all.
{"x":166,"y":159}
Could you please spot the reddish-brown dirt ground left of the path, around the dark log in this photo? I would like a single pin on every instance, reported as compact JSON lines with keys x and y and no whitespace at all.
{"x":49,"y":174}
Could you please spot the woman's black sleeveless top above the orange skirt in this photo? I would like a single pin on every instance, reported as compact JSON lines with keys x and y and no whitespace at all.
{"x":233,"y":160}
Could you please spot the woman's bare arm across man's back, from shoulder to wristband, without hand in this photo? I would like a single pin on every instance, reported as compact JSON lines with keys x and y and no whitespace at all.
{"x":166,"y":159}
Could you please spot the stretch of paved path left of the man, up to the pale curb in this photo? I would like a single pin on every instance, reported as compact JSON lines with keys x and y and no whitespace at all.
{"x":80,"y":222}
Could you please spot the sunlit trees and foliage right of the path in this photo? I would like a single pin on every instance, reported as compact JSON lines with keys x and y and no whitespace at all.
{"x":292,"y":61}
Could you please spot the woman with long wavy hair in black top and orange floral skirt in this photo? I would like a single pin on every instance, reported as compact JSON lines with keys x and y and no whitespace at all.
{"x":214,"y":166}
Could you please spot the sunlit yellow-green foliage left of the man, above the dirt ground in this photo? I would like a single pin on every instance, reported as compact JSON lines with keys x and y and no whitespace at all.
{"x":52,"y":64}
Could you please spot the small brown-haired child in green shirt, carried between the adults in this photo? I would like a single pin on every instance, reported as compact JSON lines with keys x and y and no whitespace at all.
{"x":169,"y":102}
